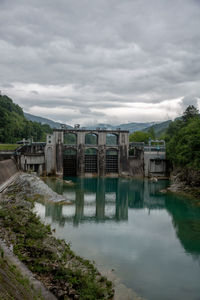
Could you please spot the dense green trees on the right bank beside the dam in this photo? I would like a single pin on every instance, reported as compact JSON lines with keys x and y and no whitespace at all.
{"x":183,"y":149}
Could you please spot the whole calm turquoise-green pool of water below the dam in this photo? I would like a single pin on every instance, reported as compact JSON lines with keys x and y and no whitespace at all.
{"x":151,"y":239}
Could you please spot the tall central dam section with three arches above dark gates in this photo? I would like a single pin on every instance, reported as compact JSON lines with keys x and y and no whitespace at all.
{"x":76,"y":152}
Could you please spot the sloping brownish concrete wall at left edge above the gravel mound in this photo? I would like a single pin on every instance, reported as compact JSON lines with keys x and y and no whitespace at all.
{"x":8,"y":168}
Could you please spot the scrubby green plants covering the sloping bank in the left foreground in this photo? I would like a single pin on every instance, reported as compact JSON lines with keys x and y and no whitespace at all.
{"x":66,"y":275}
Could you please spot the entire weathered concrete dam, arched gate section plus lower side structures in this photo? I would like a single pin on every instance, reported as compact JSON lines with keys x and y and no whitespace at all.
{"x":80,"y":152}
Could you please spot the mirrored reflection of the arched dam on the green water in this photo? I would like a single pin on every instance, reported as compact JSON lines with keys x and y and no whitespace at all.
{"x":103,"y":199}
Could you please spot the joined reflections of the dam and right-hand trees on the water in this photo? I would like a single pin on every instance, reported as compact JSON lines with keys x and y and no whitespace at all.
{"x":110,"y":199}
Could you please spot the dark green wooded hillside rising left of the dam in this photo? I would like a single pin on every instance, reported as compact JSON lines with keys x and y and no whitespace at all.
{"x":14,"y":126}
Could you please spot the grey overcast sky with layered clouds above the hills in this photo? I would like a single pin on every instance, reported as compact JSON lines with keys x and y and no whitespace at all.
{"x":91,"y":61}
